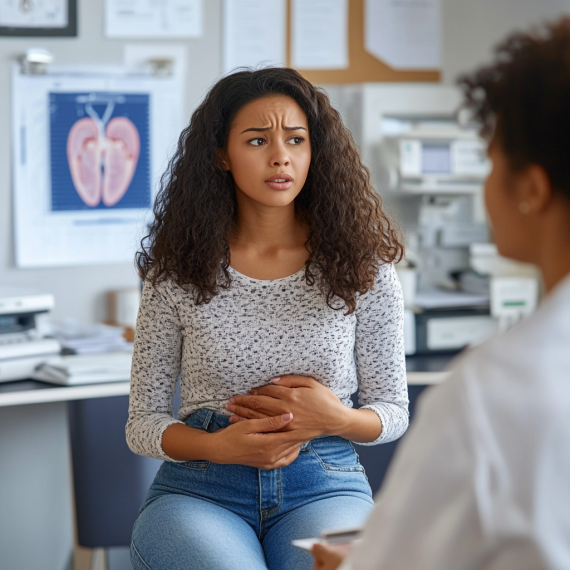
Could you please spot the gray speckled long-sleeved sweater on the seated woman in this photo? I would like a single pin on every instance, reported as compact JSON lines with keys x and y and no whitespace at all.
{"x":257,"y":330}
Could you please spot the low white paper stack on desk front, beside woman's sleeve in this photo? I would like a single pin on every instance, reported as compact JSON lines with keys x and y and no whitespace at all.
{"x":76,"y":370}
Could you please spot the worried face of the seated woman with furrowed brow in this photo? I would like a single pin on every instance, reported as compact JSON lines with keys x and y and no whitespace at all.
{"x":269,"y":151}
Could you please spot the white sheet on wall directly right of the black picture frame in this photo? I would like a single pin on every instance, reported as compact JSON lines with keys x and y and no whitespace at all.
{"x":153,"y":18}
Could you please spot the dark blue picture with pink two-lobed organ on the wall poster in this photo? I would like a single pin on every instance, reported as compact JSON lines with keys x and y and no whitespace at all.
{"x":99,"y":150}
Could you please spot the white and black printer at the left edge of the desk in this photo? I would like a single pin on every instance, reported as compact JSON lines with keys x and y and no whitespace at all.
{"x":22,"y":343}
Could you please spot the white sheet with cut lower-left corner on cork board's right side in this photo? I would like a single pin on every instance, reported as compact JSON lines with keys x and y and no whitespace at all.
{"x":405,"y":34}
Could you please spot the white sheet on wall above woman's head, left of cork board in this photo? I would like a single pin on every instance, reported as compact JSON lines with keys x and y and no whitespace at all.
{"x":253,"y":33}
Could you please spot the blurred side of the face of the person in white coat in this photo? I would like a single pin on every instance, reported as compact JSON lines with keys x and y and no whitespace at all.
{"x":504,"y":193}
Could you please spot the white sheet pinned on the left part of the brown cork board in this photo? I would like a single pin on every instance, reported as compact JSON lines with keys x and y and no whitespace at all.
{"x":319,"y":34}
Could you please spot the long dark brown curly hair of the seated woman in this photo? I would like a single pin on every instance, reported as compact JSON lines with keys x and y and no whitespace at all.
{"x":349,"y":235}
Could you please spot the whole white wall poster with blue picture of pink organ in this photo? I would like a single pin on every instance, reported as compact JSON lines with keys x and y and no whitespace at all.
{"x":98,"y":219}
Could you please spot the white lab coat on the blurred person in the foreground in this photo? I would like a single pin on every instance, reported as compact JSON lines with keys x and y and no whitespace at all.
{"x":482,"y":479}
